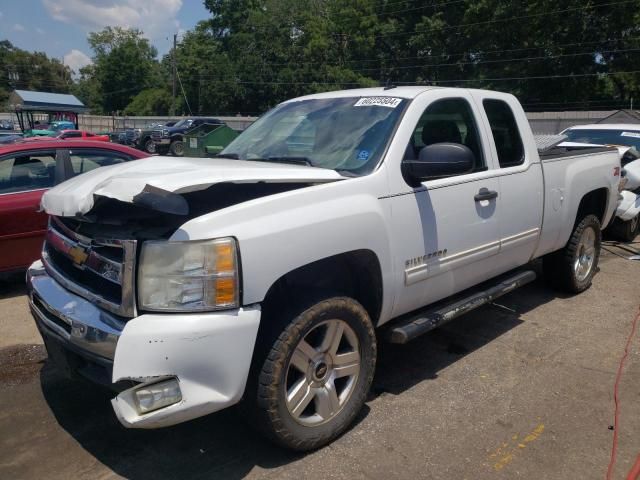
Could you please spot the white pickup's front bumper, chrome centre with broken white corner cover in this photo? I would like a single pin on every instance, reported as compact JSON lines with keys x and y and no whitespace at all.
{"x":209,"y":354}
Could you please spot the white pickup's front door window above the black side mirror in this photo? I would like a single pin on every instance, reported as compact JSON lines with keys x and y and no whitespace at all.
{"x":447,"y":121}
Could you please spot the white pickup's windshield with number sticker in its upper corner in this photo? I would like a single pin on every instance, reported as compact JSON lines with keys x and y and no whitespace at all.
{"x":345,"y":134}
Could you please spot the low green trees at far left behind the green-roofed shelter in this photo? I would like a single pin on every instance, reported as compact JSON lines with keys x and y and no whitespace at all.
{"x":24,"y":70}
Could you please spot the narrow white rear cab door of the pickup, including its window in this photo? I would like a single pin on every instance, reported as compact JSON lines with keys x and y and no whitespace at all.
{"x":519,"y":175}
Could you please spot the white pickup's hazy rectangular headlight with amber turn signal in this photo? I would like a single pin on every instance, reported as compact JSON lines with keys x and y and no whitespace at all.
{"x":188,"y":276}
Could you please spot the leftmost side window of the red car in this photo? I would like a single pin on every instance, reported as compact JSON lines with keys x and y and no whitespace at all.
{"x":28,"y":171}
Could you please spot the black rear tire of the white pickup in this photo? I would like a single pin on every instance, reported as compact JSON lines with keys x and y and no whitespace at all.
{"x":560,"y":268}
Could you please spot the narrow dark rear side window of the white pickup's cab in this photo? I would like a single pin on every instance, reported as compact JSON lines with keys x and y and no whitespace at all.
{"x":505,"y":133}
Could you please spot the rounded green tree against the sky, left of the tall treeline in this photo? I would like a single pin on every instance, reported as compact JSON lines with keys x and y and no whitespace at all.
{"x":123,"y":65}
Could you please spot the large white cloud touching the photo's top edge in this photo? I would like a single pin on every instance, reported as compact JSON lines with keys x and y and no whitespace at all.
{"x":156,"y":18}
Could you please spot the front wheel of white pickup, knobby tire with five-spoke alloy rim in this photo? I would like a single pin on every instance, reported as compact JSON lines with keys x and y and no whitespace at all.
{"x":316,"y":375}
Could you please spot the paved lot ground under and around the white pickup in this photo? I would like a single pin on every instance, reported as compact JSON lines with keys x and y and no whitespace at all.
{"x":519,"y":389}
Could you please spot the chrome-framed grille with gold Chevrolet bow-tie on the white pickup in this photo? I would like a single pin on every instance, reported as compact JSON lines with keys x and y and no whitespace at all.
{"x":102,"y":271}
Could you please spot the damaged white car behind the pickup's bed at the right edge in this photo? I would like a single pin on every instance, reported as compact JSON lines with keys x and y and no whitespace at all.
{"x":626,"y":138}
